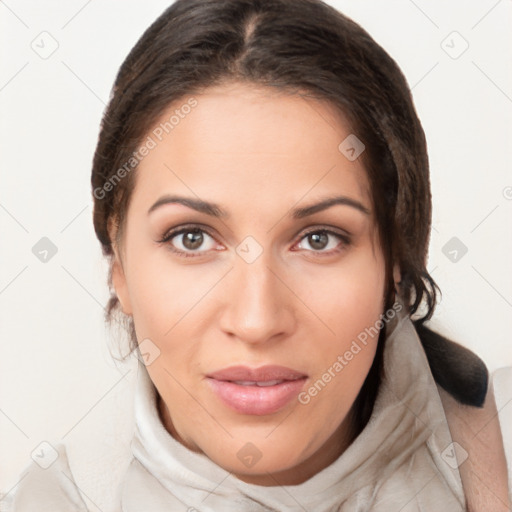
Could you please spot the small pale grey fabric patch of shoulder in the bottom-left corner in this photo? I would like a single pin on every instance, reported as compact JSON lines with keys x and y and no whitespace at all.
{"x":47,"y":484}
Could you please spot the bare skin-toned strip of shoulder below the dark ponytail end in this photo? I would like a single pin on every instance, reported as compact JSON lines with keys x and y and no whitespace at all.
{"x":482,"y":465}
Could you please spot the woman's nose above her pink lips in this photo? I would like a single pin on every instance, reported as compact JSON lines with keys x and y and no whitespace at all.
{"x":257,"y":307}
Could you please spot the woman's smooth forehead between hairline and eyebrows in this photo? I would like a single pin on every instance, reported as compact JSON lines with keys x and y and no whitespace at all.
{"x":251,"y":146}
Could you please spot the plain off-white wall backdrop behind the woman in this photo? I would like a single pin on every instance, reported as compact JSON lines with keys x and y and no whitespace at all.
{"x":58,"y":63}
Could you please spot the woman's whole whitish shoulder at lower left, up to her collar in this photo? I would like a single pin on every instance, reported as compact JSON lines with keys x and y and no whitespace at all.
{"x":89,"y":467}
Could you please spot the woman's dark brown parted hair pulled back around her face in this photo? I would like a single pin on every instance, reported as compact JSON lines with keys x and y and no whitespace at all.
{"x":295,"y":46}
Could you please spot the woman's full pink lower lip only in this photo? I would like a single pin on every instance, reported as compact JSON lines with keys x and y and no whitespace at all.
{"x":257,"y":400}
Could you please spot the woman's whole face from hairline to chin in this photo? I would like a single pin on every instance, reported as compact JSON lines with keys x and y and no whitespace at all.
{"x":233,"y":256}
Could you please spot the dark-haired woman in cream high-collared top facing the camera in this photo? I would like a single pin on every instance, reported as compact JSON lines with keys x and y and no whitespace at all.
{"x":261,"y":190}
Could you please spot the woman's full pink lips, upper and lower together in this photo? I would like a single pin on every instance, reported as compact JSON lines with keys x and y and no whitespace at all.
{"x":256,"y":391}
